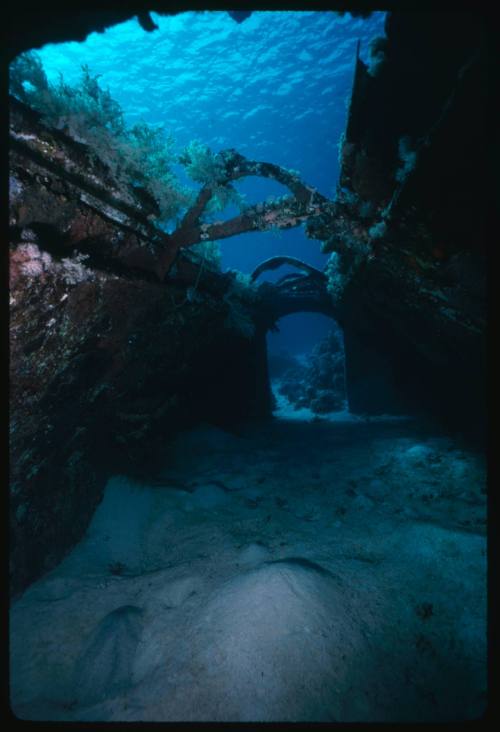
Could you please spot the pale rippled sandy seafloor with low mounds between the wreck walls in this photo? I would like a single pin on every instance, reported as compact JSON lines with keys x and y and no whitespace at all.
{"x":301,"y":569}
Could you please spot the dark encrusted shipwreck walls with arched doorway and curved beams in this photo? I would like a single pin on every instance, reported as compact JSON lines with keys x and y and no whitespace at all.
{"x":122,"y":335}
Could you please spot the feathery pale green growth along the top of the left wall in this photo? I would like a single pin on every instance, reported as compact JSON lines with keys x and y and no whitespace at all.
{"x":139,"y":155}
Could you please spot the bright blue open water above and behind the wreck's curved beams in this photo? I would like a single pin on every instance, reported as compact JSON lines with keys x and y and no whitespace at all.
{"x":274,"y":87}
